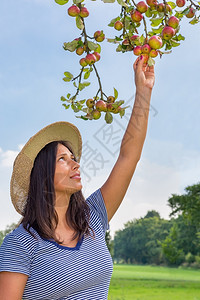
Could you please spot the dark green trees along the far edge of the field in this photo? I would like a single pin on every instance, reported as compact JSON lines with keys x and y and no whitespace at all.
{"x":156,"y":241}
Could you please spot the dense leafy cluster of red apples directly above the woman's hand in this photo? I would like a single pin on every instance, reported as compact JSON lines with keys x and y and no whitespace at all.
{"x":166,"y":35}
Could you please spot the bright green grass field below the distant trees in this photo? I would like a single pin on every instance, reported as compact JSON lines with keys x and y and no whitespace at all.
{"x":130,"y":282}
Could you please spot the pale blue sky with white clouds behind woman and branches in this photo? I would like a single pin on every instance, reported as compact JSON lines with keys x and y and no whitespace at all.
{"x":32,"y":64}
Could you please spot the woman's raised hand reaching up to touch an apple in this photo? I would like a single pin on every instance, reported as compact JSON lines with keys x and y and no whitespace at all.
{"x":144,"y":75}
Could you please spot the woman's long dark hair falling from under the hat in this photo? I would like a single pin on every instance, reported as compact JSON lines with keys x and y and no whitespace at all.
{"x":39,"y":212}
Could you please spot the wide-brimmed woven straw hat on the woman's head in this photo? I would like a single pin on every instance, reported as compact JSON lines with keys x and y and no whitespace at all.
{"x":23,"y":163}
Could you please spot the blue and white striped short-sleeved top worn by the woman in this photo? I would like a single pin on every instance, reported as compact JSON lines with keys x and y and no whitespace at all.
{"x":58,"y":272}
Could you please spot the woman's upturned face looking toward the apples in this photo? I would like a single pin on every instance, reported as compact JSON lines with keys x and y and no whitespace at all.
{"x":67,"y":178}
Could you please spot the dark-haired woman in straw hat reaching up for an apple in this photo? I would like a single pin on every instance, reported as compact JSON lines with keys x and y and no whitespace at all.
{"x":59,"y":251}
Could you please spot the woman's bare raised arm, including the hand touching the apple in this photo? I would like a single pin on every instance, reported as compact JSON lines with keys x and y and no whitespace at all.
{"x":116,"y":185}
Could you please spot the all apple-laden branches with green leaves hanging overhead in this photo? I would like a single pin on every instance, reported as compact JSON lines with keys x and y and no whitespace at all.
{"x":163,"y":18}
